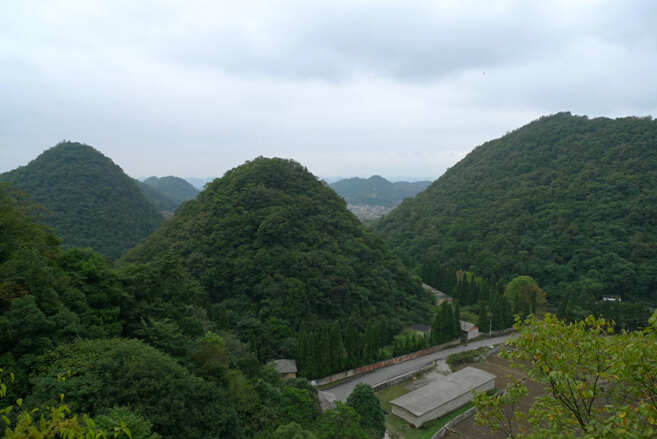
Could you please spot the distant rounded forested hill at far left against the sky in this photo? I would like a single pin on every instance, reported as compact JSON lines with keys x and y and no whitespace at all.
{"x":93,"y":202}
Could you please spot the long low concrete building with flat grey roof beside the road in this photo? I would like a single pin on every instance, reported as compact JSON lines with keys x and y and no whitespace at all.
{"x":442,"y":396}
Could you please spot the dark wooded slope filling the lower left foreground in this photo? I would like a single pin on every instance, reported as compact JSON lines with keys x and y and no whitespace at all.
{"x":131,"y":347}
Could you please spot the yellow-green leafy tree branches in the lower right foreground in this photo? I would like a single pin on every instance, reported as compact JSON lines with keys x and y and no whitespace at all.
{"x":598,"y":385}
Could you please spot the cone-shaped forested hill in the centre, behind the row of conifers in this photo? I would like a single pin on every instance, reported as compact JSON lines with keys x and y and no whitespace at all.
{"x":273,"y":244}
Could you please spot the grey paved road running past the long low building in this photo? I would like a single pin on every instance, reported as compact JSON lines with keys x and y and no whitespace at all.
{"x":342,"y":391}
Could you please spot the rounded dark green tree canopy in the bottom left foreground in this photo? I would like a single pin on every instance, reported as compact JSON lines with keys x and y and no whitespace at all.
{"x":129,"y":373}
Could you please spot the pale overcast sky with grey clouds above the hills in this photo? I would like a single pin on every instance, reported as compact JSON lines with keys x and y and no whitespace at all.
{"x":346,"y":88}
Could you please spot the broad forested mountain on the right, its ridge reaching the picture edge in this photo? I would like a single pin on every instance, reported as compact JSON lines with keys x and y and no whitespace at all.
{"x":568,"y":200}
